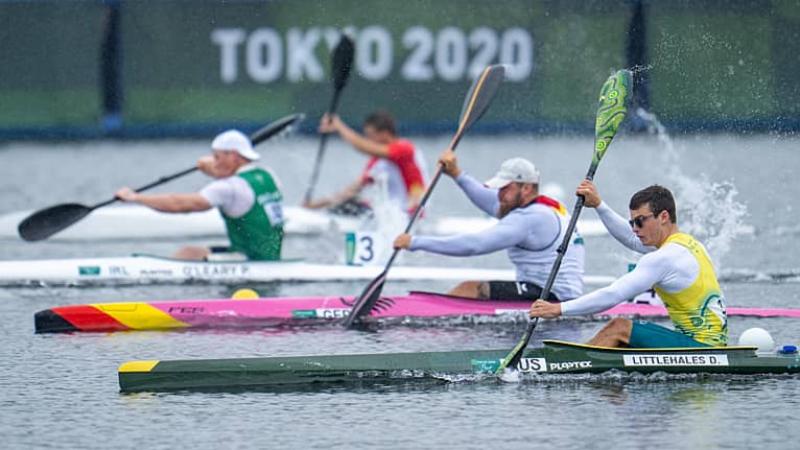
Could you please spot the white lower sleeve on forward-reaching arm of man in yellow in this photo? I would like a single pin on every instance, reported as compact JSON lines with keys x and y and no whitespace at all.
{"x":650,"y":270}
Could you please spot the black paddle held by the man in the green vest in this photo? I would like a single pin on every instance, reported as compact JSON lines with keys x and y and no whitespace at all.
{"x":46,"y":222}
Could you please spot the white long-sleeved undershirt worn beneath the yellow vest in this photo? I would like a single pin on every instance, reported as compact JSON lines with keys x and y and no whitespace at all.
{"x":671,"y":267}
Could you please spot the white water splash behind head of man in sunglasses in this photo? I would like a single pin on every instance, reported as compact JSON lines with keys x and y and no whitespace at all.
{"x":707,"y":209}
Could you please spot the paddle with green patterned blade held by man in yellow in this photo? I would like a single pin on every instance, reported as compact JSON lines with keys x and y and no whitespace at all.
{"x":611,"y":111}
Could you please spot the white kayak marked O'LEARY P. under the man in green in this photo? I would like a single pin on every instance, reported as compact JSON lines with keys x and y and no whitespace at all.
{"x":153,"y":269}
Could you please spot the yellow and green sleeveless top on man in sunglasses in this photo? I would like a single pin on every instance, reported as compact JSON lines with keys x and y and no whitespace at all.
{"x":699,"y":310}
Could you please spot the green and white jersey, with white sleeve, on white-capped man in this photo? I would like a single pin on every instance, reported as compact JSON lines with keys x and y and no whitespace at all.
{"x":251,"y":205}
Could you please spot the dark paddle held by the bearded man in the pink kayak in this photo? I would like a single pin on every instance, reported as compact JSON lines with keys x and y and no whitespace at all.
{"x":477,"y":101}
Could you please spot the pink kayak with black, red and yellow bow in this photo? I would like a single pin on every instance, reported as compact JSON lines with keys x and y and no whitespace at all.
{"x":164,"y":315}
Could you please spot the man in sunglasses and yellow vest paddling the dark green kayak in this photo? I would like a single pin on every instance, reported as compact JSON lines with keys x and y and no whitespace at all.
{"x":675,"y":264}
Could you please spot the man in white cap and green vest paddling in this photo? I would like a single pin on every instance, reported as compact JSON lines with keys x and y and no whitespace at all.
{"x":248,"y":197}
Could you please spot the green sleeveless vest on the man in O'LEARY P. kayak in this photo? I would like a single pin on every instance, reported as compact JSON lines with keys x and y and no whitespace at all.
{"x":259,"y":233}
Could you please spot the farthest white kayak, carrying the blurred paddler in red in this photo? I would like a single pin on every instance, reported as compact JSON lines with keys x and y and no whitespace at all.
{"x":138,"y":222}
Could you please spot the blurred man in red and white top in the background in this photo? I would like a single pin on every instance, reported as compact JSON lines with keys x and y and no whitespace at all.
{"x":393,"y":161}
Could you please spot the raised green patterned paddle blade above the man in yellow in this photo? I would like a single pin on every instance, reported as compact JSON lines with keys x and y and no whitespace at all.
{"x":611,"y":110}
